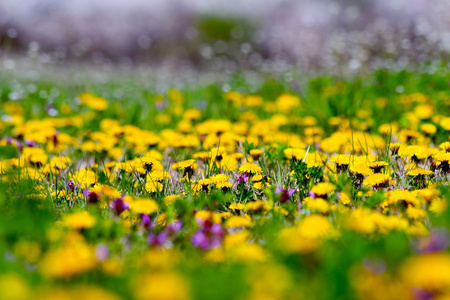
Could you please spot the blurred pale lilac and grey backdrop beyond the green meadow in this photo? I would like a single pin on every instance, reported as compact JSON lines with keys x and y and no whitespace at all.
{"x":220,"y":35}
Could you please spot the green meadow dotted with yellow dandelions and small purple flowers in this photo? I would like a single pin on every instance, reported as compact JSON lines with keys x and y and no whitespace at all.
{"x":335,"y":189}
